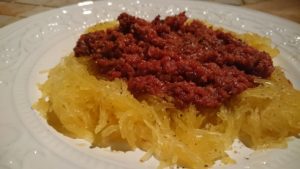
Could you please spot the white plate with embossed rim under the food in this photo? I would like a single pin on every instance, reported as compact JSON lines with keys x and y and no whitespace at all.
{"x":37,"y":43}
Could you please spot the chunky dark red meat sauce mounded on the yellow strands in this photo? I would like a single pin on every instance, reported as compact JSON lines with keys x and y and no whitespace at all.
{"x":192,"y":63}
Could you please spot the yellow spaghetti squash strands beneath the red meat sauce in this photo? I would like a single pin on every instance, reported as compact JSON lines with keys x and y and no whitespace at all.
{"x":80,"y":103}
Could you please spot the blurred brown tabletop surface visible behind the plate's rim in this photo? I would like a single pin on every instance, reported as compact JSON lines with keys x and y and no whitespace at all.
{"x":13,"y":10}
